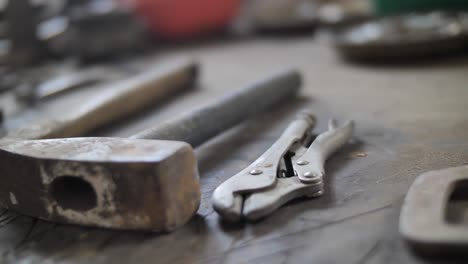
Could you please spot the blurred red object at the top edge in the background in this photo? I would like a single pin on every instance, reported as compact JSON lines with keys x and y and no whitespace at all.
{"x":186,"y":18}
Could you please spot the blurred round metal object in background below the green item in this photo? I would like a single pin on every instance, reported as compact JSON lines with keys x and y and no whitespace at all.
{"x":405,"y":36}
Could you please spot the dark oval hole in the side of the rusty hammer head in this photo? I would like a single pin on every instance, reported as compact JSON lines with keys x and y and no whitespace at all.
{"x":73,"y":193}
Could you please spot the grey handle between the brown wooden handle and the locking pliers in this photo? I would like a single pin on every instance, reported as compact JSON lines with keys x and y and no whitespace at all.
{"x":197,"y":126}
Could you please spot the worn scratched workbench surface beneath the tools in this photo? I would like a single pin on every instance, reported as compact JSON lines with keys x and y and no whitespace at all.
{"x":409,"y":119}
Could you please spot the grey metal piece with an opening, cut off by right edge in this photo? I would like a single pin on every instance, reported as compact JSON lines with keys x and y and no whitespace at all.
{"x":427,"y":219}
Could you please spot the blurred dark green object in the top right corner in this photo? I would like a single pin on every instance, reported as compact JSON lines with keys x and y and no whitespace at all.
{"x":390,"y":7}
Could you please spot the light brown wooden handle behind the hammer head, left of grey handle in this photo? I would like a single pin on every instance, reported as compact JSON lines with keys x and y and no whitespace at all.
{"x":119,"y":100}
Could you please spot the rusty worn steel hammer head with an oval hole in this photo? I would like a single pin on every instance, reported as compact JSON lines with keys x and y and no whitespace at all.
{"x":108,"y":182}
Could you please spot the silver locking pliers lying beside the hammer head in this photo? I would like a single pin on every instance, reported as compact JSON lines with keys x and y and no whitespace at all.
{"x":287,"y":170}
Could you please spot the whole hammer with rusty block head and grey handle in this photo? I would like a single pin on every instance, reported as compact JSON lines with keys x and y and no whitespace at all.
{"x":134,"y":183}
